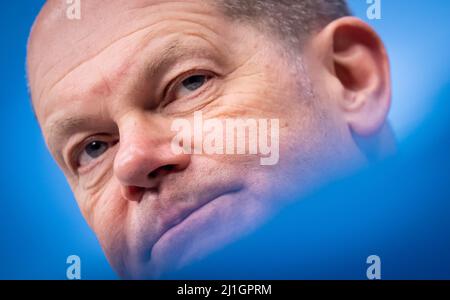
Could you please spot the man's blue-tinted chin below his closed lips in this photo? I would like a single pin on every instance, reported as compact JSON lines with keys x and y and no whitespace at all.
{"x":205,"y":231}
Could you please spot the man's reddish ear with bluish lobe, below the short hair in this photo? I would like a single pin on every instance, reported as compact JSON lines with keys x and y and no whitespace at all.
{"x":358,"y":63}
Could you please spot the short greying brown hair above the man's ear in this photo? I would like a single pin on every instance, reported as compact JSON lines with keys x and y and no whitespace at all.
{"x":290,"y":20}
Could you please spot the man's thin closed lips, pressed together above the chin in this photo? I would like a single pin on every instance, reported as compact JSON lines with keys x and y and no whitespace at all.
{"x":181,"y":217}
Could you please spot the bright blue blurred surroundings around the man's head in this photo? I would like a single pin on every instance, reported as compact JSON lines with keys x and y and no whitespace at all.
{"x":398,"y":209}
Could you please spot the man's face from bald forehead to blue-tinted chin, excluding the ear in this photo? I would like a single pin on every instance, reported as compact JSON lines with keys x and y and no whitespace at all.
{"x":106,"y":90}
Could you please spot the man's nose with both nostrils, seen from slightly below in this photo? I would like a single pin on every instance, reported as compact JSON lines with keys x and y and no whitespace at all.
{"x":145,"y":156}
